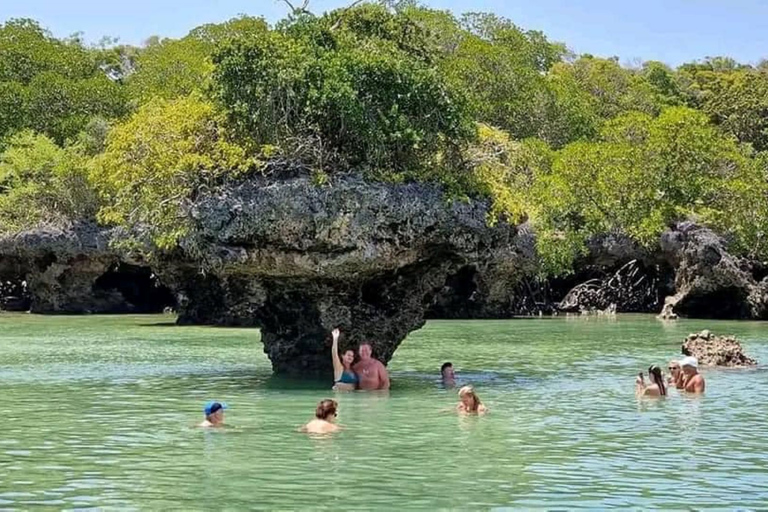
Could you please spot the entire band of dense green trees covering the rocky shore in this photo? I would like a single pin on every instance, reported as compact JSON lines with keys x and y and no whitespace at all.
{"x":576,"y":145}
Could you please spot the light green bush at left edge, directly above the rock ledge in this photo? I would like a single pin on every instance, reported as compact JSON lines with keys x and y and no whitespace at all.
{"x":42,"y":183}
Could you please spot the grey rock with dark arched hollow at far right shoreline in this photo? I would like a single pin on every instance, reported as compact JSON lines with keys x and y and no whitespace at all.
{"x":709,"y":281}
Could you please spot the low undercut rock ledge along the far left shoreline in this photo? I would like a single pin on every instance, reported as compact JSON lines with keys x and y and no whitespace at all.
{"x":74,"y":270}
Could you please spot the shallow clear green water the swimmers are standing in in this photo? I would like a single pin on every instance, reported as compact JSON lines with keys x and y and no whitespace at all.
{"x":99,"y":412}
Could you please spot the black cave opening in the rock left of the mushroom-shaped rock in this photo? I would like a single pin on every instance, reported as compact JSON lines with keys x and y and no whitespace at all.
{"x":139,"y":287}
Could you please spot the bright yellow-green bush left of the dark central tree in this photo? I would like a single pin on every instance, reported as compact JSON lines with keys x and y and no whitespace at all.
{"x":158,"y":159}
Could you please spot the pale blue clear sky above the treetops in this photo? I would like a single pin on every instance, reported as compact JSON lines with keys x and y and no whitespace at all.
{"x":671,"y":31}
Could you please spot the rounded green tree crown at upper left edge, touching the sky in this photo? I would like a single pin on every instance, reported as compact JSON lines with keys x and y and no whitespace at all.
{"x":51,"y":86}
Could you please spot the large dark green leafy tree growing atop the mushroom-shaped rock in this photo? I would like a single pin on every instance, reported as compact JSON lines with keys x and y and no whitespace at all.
{"x":359,"y":98}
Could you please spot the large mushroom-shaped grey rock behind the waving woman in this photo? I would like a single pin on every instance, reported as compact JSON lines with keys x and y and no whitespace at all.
{"x":298,"y":260}
